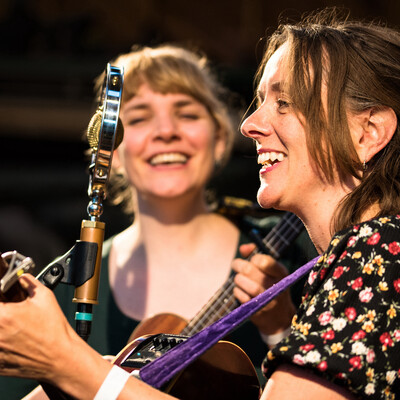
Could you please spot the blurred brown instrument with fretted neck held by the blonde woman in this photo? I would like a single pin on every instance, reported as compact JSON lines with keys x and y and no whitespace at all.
{"x":223,"y":301}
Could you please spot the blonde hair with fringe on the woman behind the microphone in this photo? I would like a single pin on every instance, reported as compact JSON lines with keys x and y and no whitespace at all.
{"x":172,"y":69}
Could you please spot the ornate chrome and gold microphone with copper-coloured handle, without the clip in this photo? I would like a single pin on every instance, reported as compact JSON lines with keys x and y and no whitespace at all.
{"x":104,"y":134}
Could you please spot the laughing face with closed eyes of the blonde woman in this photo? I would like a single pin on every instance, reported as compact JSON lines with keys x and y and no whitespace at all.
{"x":170,"y":143}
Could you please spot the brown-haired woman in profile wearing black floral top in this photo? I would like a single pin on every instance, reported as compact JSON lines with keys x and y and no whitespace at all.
{"x":338,"y":128}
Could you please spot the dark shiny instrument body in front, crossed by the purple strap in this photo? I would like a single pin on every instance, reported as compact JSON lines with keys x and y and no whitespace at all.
{"x":223,"y":372}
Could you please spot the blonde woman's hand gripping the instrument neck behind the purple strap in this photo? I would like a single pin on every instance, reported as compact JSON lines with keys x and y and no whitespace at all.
{"x":254,"y":277}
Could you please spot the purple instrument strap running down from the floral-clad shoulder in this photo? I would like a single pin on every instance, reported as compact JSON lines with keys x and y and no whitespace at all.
{"x":163,"y":369}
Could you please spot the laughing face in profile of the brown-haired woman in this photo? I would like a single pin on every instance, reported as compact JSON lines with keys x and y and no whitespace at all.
{"x":289,"y":177}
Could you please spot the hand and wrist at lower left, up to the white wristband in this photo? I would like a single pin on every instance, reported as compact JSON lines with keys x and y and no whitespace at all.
{"x":37,"y":342}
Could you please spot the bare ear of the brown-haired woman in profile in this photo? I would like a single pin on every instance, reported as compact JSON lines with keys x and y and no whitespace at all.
{"x":375,"y":128}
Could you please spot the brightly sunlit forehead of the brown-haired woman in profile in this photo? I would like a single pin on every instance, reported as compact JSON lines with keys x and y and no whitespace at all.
{"x":272,"y":78}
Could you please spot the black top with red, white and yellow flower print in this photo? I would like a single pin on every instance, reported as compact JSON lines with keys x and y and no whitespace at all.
{"x":347,"y":328}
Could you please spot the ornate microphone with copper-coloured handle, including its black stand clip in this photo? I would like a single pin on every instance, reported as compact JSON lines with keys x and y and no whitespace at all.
{"x":81,"y":265}
